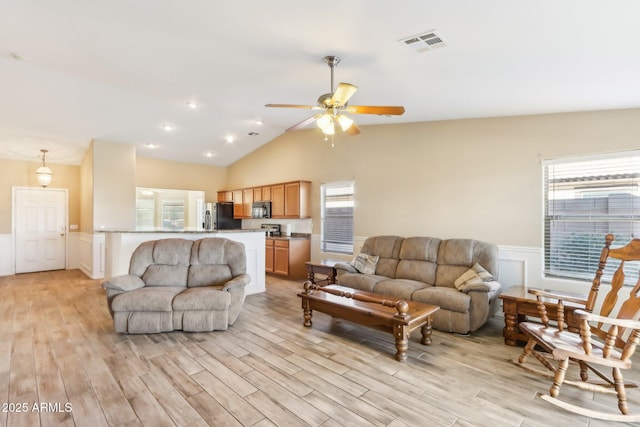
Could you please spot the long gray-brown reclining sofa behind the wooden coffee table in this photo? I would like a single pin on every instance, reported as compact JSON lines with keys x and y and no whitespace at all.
{"x":425,"y":269}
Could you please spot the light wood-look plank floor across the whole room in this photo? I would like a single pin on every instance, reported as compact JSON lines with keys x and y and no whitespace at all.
{"x":57,"y":348}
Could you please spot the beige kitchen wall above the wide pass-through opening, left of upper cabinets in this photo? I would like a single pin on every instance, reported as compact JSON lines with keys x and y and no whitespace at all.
{"x":180,"y":176}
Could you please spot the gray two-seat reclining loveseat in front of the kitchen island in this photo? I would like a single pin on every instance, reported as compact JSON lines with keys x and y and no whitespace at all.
{"x":179,"y":284}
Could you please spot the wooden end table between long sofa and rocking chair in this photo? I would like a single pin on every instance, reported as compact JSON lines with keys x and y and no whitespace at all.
{"x":517,"y":304}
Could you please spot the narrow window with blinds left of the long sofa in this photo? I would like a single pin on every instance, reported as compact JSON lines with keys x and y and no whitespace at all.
{"x":337,"y":217}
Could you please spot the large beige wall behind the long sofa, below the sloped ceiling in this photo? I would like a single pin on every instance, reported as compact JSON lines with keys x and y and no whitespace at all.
{"x":477,"y":178}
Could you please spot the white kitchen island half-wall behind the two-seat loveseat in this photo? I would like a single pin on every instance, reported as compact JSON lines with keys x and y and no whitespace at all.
{"x":119,"y":245}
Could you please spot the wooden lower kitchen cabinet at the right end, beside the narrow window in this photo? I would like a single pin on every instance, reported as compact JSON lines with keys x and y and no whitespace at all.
{"x":287,"y":257}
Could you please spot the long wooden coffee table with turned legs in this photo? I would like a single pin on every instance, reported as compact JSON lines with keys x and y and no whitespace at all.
{"x":377,"y":311}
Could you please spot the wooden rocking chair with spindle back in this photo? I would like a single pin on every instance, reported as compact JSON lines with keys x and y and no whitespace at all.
{"x":616,"y":338}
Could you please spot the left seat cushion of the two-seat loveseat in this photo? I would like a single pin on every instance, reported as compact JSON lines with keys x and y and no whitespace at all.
{"x":154,"y":298}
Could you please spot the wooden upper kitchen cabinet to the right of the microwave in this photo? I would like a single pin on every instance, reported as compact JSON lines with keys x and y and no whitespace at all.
{"x":291,"y":200}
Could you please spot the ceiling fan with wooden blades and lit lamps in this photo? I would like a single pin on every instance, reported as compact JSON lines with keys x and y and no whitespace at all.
{"x":333,"y":105}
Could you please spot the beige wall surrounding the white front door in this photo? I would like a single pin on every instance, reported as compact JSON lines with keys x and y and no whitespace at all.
{"x":15,"y":173}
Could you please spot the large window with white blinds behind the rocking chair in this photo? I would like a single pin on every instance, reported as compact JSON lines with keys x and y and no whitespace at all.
{"x":584,"y":199}
